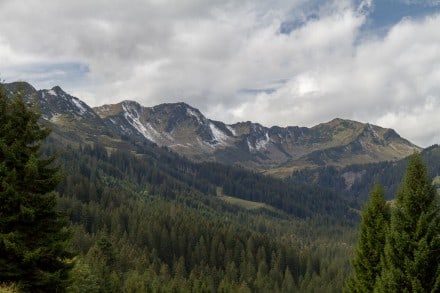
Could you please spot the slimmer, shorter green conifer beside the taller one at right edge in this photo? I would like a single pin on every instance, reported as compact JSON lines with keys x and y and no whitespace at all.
{"x":370,"y":246}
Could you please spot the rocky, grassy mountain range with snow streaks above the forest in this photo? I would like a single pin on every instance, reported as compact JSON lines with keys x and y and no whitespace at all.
{"x":185,"y":130}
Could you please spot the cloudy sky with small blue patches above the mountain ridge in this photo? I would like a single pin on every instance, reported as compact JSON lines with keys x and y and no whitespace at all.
{"x":279,"y":62}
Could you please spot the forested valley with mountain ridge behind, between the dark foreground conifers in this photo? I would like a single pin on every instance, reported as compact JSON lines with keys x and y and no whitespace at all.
{"x":163,"y":198}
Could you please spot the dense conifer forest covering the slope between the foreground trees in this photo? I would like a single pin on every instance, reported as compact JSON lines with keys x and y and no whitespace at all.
{"x":138,"y":229}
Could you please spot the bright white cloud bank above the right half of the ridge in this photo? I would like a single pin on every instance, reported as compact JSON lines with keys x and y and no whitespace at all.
{"x":392,"y":81}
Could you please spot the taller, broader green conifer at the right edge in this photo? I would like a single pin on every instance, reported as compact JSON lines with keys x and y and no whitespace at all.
{"x":412,"y":249}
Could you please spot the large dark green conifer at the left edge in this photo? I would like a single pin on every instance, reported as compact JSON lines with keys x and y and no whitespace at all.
{"x":33,"y":235}
